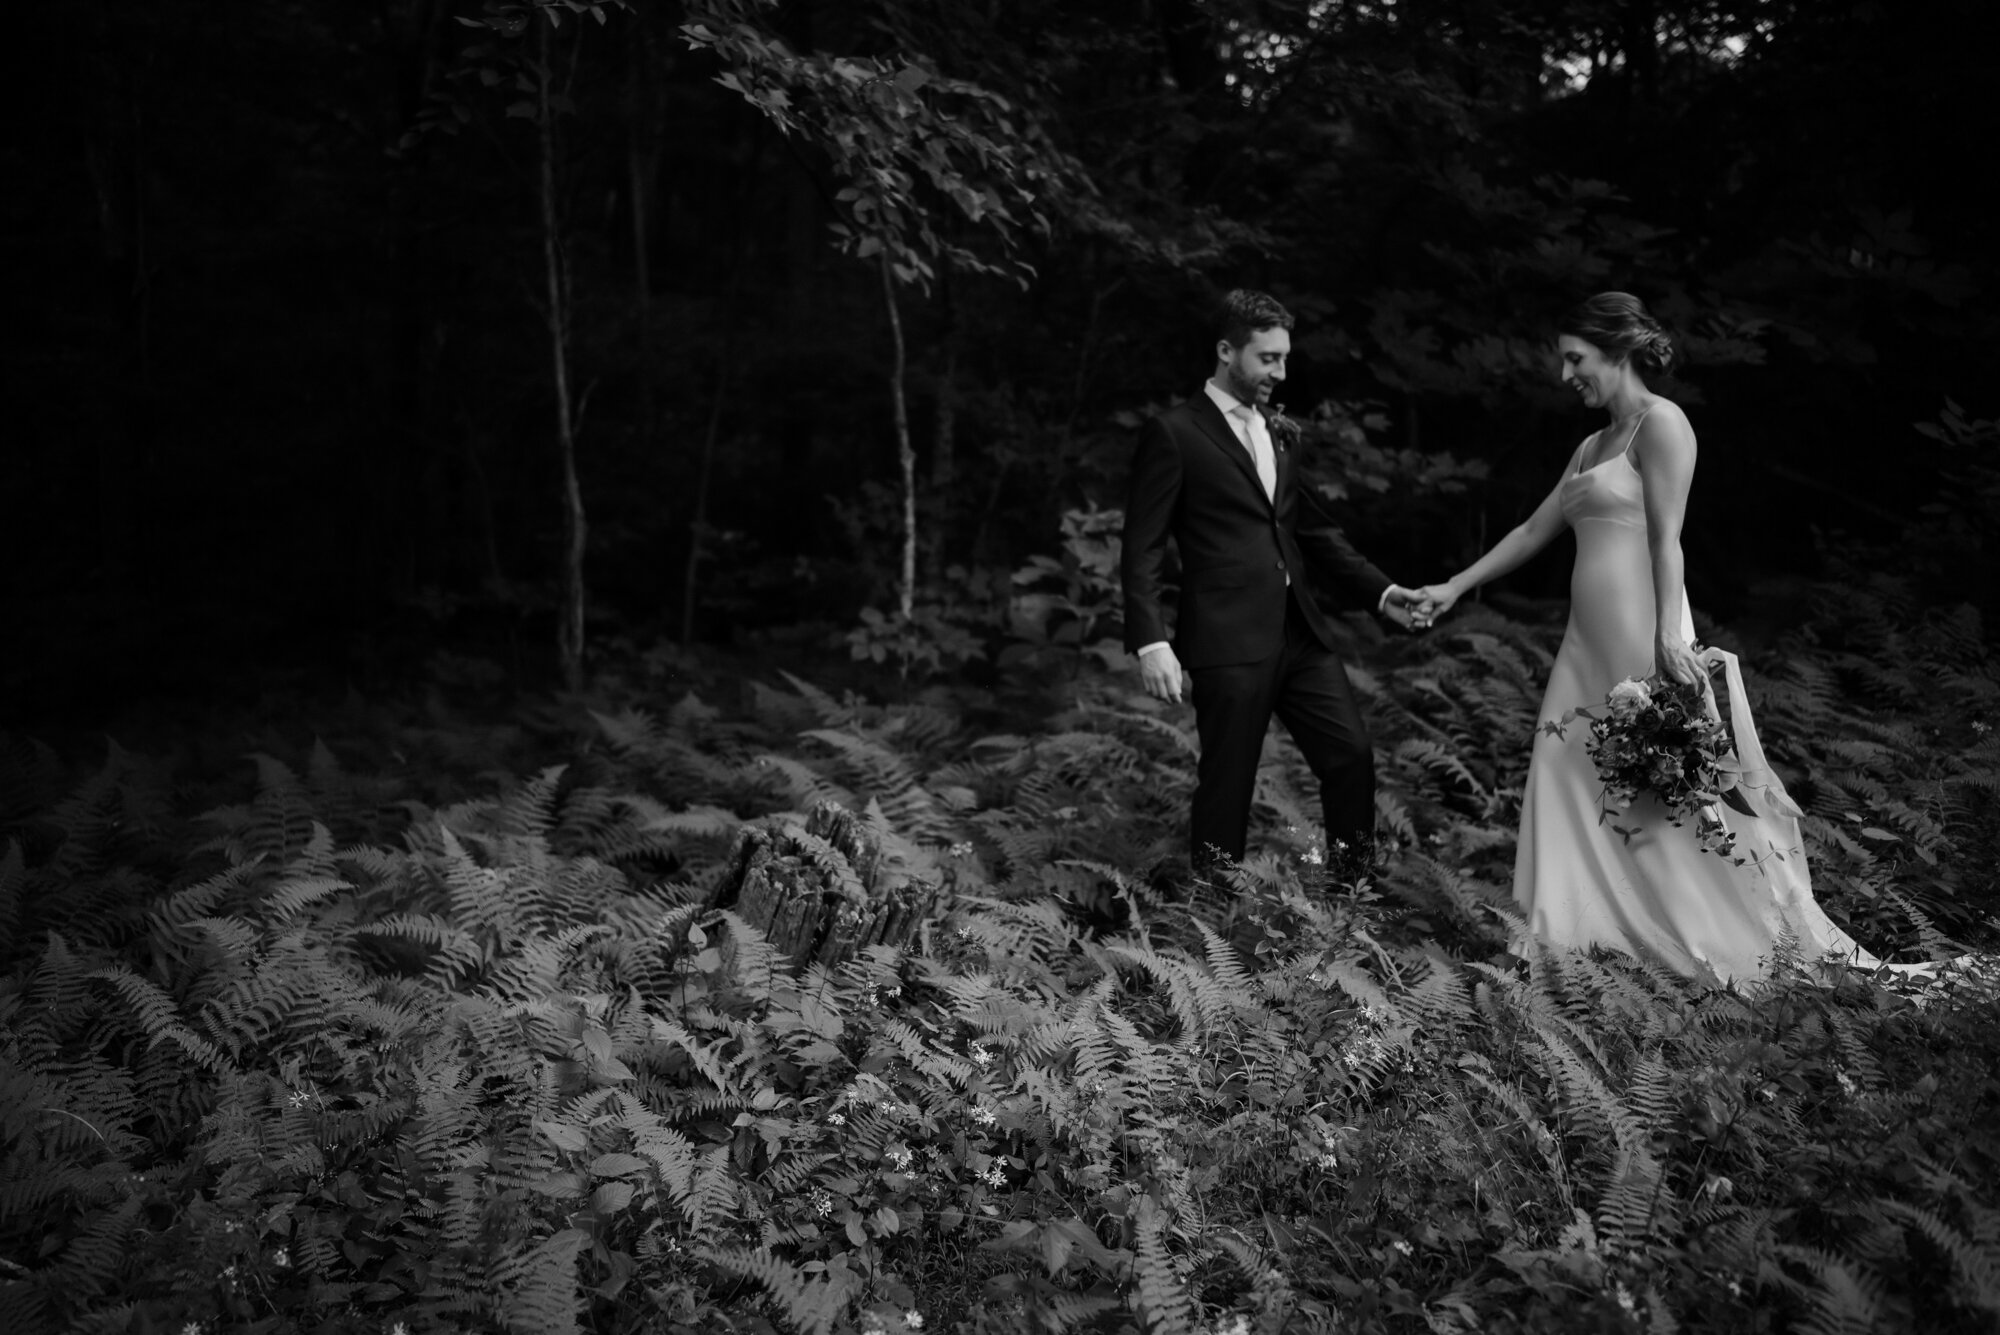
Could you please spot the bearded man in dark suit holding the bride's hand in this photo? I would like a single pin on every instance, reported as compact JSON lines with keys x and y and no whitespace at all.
{"x":1255,"y":549}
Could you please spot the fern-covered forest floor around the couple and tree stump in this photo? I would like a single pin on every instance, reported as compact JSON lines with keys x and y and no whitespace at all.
{"x":449,"y":1026}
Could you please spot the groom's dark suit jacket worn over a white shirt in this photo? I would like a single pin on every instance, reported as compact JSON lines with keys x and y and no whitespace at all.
{"x":1195,"y":483}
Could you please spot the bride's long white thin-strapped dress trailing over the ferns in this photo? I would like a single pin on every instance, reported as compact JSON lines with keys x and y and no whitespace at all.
{"x":1659,"y":894}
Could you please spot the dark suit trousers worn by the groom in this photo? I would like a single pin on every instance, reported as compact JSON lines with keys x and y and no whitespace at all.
{"x":1309,"y":690}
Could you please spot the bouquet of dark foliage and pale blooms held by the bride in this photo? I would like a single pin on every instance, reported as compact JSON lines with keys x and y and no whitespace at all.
{"x":1663,"y":738}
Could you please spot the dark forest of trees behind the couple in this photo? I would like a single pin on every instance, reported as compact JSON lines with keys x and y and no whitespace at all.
{"x":283,"y":391}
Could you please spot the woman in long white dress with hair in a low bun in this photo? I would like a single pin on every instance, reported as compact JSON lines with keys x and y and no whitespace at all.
{"x":1581,"y":882}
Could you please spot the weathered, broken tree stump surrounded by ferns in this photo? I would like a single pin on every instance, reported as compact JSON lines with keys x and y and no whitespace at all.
{"x":825,"y":892}
